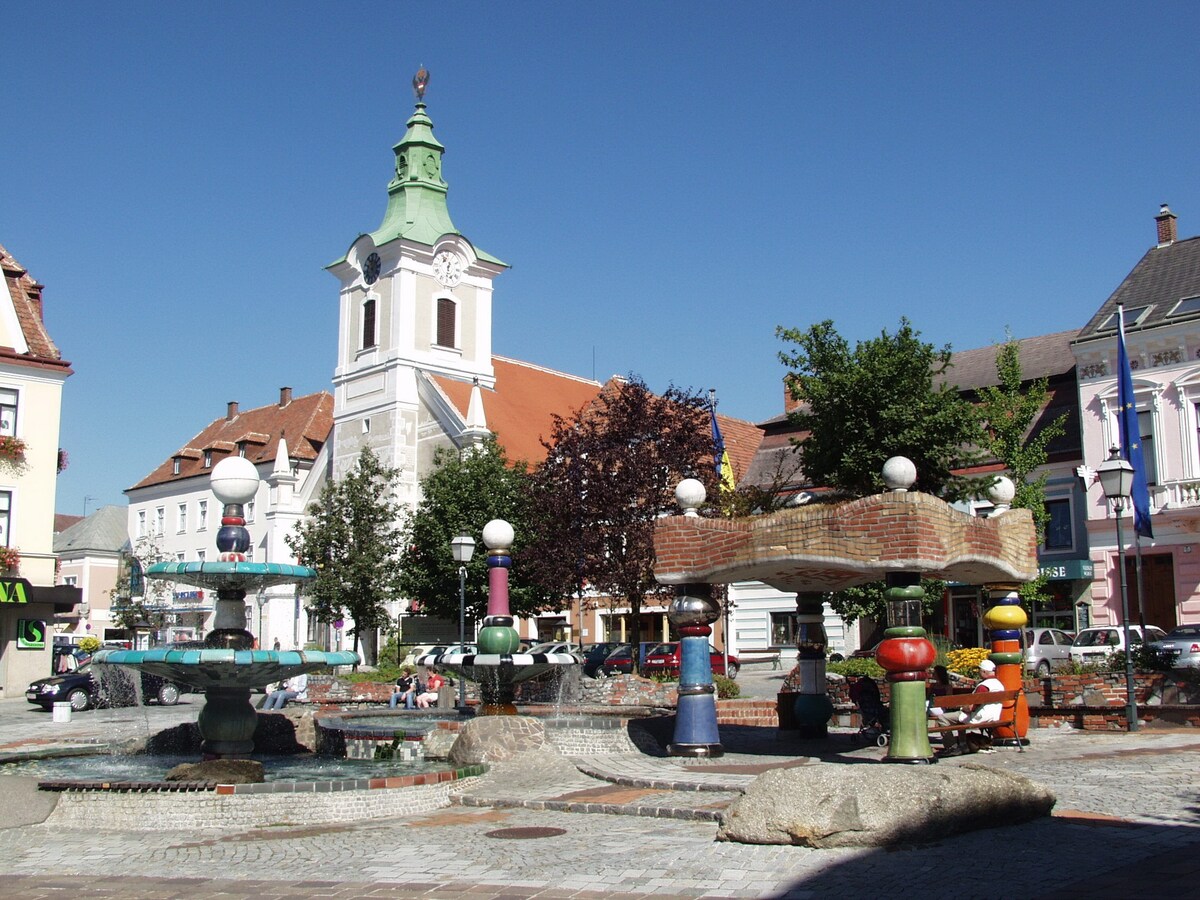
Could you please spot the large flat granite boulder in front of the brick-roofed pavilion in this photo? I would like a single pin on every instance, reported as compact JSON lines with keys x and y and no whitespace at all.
{"x":879,"y":806}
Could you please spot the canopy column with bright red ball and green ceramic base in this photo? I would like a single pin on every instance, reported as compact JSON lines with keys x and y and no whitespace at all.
{"x":907,"y":655}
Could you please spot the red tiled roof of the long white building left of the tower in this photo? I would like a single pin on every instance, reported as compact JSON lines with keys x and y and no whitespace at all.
{"x":304,"y":423}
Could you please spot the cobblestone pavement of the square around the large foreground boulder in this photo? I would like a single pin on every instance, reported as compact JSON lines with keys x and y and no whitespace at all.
{"x":1127,"y":823}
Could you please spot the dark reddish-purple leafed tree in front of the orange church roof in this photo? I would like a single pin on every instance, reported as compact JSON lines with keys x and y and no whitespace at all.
{"x":610,"y":472}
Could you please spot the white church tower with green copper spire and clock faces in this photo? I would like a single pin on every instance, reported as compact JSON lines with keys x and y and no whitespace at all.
{"x":416,"y":304}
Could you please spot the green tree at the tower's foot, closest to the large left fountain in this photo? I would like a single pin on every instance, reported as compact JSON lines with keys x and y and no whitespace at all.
{"x":352,"y":539}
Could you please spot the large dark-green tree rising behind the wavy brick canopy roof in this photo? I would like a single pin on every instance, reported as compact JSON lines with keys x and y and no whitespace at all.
{"x":885,"y":398}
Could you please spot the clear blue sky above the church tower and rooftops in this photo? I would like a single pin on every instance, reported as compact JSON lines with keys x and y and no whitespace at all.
{"x":670,"y":182}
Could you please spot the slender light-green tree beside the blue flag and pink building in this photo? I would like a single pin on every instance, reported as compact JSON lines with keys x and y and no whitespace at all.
{"x":1011,"y":415}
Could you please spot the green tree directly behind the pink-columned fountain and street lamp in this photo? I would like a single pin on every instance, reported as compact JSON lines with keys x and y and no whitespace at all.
{"x":464,"y":493}
